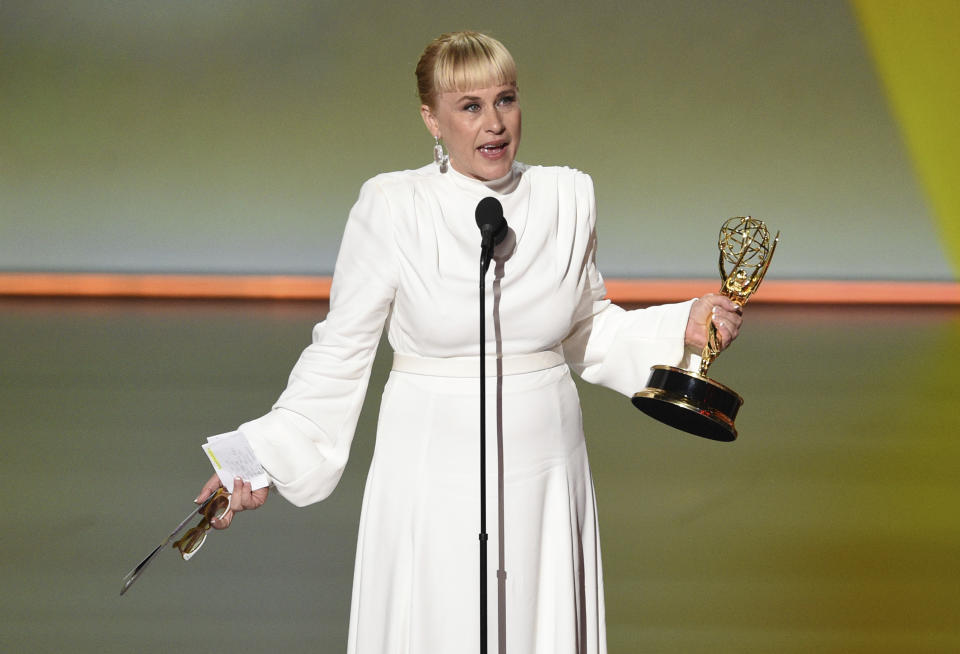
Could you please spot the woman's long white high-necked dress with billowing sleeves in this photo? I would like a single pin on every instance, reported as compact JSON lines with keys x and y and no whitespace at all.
{"x":410,"y":259}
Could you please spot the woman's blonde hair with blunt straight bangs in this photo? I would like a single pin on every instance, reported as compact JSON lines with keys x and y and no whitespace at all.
{"x":460,"y":61}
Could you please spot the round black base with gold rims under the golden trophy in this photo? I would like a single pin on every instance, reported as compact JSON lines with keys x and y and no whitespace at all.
{"x":690,"y":402}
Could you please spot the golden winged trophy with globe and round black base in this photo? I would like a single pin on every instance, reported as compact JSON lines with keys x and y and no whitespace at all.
{"x":690,"y":401}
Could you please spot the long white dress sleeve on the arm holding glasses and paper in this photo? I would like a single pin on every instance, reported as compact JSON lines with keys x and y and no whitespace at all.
{"x":304,"y":442}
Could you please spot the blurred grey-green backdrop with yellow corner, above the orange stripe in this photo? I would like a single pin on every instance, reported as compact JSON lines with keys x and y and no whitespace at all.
{"x":232,"y":137}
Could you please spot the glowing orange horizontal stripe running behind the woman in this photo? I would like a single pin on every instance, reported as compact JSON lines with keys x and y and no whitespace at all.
{"x":304,"y":287}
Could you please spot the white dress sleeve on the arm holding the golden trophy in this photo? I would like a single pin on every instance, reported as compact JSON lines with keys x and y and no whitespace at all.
{"x":609,"y":345}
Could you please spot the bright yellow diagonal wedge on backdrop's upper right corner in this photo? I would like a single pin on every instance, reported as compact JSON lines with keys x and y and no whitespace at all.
{"x":917,"y":54}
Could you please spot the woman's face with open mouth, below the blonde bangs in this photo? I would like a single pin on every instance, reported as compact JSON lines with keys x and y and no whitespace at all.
{"x":480,"y":129}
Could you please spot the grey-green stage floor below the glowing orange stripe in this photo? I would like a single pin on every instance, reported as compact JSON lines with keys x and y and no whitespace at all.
{"x":831,"y":525}
